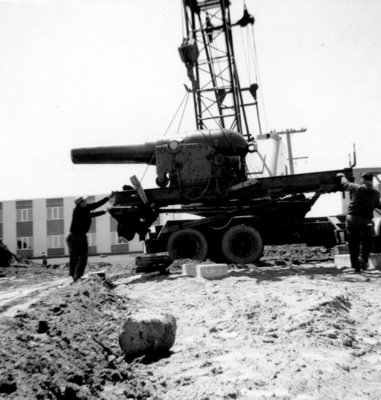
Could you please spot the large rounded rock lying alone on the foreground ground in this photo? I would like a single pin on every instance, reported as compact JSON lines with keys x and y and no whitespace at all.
{"x":147,"y":334}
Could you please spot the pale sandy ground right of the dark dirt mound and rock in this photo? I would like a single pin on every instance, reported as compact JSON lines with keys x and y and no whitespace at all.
{"x":281,"y":332}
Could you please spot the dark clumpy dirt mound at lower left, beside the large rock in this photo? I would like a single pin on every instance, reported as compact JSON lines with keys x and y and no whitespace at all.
{"x":65,"y":347}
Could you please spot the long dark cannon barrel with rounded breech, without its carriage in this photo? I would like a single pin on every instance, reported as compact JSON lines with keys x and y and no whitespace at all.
{"x":224,"y":141}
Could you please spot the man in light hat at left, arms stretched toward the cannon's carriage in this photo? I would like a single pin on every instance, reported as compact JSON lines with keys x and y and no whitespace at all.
{"x":77,"y":239}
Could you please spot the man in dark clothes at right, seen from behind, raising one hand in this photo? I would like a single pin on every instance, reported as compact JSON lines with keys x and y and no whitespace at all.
{"x":364,"y":198}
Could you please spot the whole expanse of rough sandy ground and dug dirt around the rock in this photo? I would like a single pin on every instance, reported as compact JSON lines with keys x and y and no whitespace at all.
{"x":307,"y":331}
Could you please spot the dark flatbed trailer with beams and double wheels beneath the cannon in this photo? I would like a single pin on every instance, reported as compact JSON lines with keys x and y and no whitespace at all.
{"x":232,"y":228}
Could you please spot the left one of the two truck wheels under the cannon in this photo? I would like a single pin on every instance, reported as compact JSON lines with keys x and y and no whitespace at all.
{"x":187,"y":243}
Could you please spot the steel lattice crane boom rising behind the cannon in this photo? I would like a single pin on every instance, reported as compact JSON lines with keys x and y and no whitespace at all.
{"x":208,"y":52}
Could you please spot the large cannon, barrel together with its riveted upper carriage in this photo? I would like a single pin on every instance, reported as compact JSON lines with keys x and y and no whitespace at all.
{"x":197,"y":158}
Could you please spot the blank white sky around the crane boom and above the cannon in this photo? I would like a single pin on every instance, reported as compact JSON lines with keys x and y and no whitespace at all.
{"x":98,"y":73}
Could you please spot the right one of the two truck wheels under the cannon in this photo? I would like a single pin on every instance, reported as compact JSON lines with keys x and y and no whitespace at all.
{"x":242,"y":244}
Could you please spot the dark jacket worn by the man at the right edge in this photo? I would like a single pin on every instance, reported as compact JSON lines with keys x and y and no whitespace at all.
{"x":364,"y":199}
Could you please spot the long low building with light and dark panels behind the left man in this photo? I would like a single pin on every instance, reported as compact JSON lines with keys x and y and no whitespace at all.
{"x":31,"y":227}
